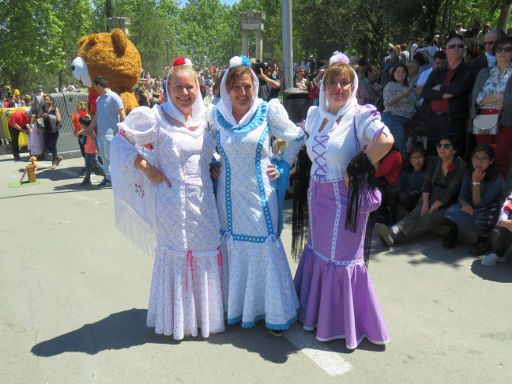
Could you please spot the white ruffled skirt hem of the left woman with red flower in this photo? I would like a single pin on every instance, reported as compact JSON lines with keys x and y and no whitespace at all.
{"x":186,"y":295}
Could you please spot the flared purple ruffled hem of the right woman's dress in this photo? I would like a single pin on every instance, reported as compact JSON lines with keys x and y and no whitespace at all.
{"x":339,"y":302}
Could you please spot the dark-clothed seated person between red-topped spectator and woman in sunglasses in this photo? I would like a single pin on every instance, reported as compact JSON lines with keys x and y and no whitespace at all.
{"x":404,"y":196}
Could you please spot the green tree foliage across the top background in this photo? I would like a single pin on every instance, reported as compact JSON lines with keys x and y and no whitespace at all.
{"x":40,"y":38}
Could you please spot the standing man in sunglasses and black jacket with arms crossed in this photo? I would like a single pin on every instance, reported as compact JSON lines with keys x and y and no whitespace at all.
{"x":446,"y":91}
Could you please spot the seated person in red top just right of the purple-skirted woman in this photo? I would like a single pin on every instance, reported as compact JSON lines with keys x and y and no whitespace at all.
{"x":387,"y":175}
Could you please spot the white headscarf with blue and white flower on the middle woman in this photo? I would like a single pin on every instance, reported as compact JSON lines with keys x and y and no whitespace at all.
{"x":224,"y":106}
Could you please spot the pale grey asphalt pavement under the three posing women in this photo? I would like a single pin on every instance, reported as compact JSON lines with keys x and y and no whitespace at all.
{"x":74,"y":291}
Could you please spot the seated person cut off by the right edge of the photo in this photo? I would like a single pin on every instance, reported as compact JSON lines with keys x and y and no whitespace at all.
{"x":504,"y":238}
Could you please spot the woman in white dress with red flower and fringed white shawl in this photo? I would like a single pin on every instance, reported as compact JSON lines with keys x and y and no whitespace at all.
{"x":186,"y":289}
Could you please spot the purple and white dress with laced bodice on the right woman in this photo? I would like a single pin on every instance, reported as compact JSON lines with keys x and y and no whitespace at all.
{"x":335,"y":291}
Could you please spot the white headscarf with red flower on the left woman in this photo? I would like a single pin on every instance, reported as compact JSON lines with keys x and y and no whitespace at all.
{"x":198,"y":109}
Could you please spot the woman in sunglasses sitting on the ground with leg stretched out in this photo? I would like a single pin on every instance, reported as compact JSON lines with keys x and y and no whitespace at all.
{"x":440,"y":189}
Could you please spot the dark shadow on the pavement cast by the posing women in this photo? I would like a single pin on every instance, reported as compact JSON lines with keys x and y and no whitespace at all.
{"x":128,"y":328}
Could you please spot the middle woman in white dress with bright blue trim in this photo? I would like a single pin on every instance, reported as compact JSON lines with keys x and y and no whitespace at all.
{"x":257,"y":280}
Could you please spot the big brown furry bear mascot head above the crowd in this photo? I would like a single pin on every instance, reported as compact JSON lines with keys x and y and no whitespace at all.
{"x":112,"y":56}
